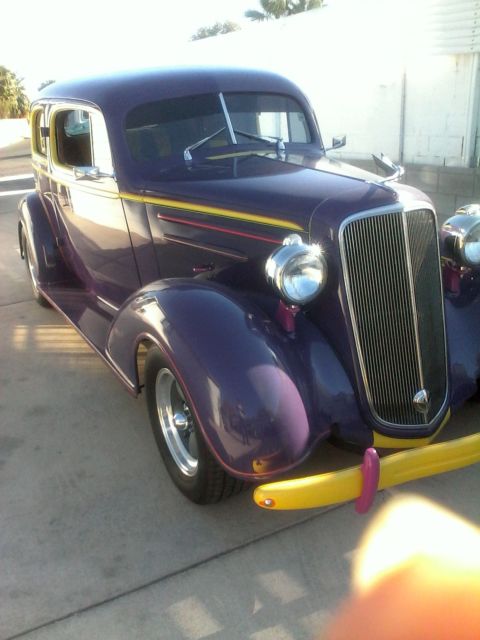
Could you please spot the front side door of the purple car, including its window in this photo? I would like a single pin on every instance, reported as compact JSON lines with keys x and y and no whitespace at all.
{"x":94,"y":235}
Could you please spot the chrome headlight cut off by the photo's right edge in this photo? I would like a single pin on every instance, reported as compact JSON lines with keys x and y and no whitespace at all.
{"x":464,"y":231}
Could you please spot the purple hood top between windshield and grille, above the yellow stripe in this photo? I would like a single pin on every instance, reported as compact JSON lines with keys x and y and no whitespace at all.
{"x":291,"y":189}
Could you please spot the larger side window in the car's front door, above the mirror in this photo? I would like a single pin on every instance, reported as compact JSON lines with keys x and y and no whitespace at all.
{"x":73,"y":138}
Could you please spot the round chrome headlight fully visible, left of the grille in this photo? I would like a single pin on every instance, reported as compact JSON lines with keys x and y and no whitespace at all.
{"x":297,"y":271}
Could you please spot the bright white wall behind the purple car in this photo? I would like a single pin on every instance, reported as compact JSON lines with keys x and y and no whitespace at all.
{"x":369,"y":71}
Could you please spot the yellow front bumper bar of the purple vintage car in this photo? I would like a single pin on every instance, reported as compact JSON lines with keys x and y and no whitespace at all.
{"x":347,"y":484}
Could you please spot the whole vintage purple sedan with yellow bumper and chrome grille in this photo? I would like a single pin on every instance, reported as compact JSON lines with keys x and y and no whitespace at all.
{"x":282,"y":298}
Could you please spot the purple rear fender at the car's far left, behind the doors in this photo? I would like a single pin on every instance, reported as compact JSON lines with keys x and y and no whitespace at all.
{"x":35,"y":221}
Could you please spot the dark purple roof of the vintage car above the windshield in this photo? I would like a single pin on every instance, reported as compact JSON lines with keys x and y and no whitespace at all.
{"x":124,"y":90}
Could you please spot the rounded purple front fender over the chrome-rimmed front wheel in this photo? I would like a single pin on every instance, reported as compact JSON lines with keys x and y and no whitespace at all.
{"x":253,"y":395}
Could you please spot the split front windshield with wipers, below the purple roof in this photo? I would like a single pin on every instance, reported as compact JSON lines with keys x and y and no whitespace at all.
{"x":165,"y":129}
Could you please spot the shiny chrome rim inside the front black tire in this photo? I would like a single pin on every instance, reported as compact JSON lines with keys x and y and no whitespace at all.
{"x":176,"y":423}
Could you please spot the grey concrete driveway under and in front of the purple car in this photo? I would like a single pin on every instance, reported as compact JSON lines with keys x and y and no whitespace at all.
{"x":95,"y":542}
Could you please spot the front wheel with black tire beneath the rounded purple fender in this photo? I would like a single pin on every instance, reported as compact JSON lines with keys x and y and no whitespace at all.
{"x":204,"y":482}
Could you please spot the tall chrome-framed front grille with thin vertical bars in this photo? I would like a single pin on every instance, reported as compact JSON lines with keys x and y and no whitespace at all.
{"x":392,"y":277}
